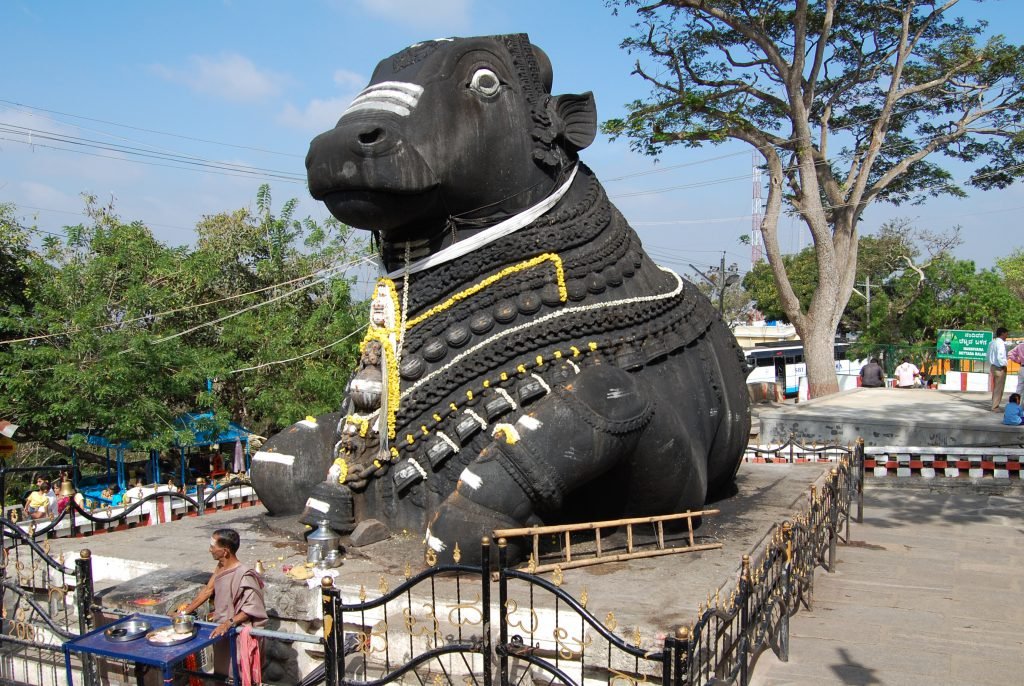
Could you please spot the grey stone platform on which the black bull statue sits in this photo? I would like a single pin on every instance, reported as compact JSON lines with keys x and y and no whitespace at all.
{"x":652,"y":596}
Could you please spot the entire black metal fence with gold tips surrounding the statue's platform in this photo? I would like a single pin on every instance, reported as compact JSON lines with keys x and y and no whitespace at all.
{"x":437,"y":627}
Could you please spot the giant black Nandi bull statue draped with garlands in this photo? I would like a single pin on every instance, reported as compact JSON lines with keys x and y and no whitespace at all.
{"x":526,"y":361}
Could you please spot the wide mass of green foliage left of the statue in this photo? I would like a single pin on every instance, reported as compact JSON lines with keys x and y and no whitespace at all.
{"x":127,"y":330}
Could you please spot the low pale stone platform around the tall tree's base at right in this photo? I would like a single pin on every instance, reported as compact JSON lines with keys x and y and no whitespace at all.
{"x":891,"y":417}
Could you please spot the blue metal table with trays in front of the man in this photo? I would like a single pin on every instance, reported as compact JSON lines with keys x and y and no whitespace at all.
{"x":141,"y":652}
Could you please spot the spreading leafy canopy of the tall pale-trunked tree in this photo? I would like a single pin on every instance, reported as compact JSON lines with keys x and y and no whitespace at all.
{"x":717,"y":72}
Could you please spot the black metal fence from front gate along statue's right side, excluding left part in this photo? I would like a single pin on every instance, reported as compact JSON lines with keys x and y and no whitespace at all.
{"x":544,"y":635}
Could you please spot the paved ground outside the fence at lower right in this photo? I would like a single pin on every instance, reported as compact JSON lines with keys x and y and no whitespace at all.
{"x":930,"y":593}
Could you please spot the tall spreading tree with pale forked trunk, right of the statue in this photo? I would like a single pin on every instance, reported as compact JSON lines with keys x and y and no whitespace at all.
{"x":848,"y":102}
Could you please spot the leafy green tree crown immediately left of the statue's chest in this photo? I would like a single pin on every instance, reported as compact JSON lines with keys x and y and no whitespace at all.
{"x":239,"y":253}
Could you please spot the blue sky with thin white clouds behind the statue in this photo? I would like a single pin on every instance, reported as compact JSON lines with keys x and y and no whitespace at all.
{"x":206,"y":93}
